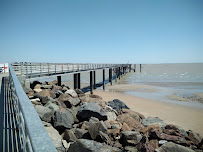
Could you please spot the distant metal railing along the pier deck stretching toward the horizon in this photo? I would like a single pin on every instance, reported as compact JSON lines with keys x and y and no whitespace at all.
{"x":33,"y":69}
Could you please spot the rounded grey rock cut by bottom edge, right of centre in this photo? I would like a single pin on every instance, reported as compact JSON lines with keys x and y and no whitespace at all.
{"x":172,"y":147}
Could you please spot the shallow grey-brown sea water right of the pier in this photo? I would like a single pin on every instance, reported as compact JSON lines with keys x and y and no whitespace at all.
{"x":183,"y":80}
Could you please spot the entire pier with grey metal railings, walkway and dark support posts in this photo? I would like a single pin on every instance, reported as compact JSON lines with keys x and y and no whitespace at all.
{"x":22,"y":129}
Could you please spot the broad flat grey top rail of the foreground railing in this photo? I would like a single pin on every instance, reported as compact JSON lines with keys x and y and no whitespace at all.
{"x":38,"y":135}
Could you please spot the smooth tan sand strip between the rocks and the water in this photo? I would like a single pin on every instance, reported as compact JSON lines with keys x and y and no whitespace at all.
{"x":189,"y":118}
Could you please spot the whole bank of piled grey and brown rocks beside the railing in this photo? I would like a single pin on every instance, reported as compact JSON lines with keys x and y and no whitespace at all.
{"x":78,"y":122}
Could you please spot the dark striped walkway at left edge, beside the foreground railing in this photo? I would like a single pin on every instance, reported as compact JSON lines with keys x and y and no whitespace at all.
{"x":9,"y":133}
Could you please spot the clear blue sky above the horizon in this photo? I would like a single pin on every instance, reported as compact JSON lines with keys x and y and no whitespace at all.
{"x":105,"y":31}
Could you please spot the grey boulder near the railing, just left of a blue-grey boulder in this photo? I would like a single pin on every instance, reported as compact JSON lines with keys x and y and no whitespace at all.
{"x":44,"y":113}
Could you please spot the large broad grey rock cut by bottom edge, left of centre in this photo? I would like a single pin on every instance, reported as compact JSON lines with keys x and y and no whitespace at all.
{"x":84,"y":145}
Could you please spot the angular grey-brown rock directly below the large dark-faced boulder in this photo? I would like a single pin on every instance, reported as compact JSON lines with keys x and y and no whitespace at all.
{"x":95,"y":128}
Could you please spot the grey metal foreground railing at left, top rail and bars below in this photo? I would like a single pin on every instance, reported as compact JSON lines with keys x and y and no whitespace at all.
{"x":33,"y":133}
